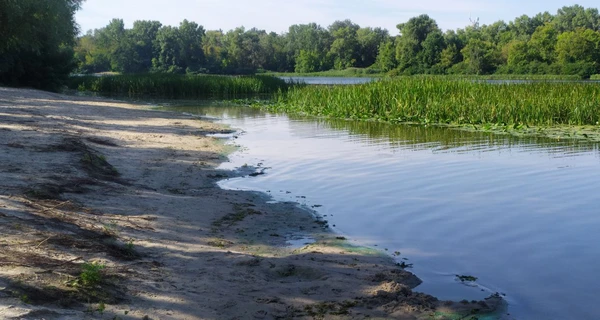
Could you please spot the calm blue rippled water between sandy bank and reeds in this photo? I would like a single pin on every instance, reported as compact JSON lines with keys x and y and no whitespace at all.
{"x":522,"y":215}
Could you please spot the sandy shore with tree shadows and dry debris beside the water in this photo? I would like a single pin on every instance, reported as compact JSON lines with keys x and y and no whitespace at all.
{"x":92,"y":181}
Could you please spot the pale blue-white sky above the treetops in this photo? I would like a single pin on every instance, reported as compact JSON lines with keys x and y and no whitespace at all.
{"x":278,"y":15}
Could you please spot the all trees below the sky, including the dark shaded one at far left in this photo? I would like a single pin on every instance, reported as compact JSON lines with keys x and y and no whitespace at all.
{"x":40,"y":46}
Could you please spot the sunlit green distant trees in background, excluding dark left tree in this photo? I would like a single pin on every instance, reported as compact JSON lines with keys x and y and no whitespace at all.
{"x":567,"y":42}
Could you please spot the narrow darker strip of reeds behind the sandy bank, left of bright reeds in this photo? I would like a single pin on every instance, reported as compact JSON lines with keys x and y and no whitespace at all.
{"x":178,"y":86}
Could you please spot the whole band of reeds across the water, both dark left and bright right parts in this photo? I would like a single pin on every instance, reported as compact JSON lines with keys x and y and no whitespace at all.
{"x":548,"y":107}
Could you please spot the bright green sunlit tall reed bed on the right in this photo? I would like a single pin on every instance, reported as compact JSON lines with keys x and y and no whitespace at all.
{"x":442,"y":100}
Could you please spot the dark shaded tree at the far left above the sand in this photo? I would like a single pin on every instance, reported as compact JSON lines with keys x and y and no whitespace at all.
{"x":36,"y":42}
